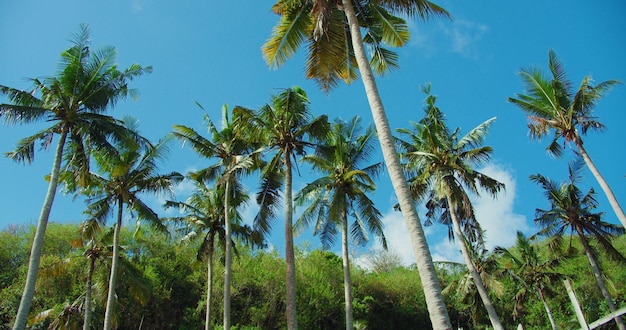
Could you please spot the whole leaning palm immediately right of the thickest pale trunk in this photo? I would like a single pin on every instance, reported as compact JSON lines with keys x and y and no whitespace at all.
{"x":442,"y":164}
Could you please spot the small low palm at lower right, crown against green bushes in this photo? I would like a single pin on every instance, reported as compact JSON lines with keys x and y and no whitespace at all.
{"x":534,"y":275}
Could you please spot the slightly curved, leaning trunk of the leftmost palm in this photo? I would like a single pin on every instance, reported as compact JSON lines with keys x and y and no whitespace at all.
{"x":35,"y":252}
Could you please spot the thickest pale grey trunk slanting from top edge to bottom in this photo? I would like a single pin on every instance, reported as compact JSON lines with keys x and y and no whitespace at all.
{"x":432,"y":289}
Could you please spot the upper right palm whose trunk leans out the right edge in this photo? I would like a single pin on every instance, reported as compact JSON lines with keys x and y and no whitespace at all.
{"x":551,"y":104}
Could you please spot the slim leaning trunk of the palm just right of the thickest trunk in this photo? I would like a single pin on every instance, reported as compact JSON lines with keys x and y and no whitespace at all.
{"x":480,"y":286}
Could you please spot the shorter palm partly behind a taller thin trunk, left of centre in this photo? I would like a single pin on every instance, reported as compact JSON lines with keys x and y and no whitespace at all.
{"x":205,"y":214}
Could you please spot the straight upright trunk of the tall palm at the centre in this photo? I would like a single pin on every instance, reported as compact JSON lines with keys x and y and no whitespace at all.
{"x":290,"y":260}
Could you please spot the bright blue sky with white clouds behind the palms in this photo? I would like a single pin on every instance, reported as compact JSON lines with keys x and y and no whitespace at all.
{"x":209,"y":52}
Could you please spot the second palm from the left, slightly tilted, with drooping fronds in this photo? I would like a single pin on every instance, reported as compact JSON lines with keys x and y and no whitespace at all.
{"x":126,"y":175}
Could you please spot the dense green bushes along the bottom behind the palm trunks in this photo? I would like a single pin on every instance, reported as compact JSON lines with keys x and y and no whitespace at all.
{"x":161,"y":287}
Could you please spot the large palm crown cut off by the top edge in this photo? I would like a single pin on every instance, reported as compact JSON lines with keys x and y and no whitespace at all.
{"x":321,"y":25}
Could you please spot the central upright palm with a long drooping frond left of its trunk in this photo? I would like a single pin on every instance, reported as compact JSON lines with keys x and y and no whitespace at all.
{"x":286,"y":128}
